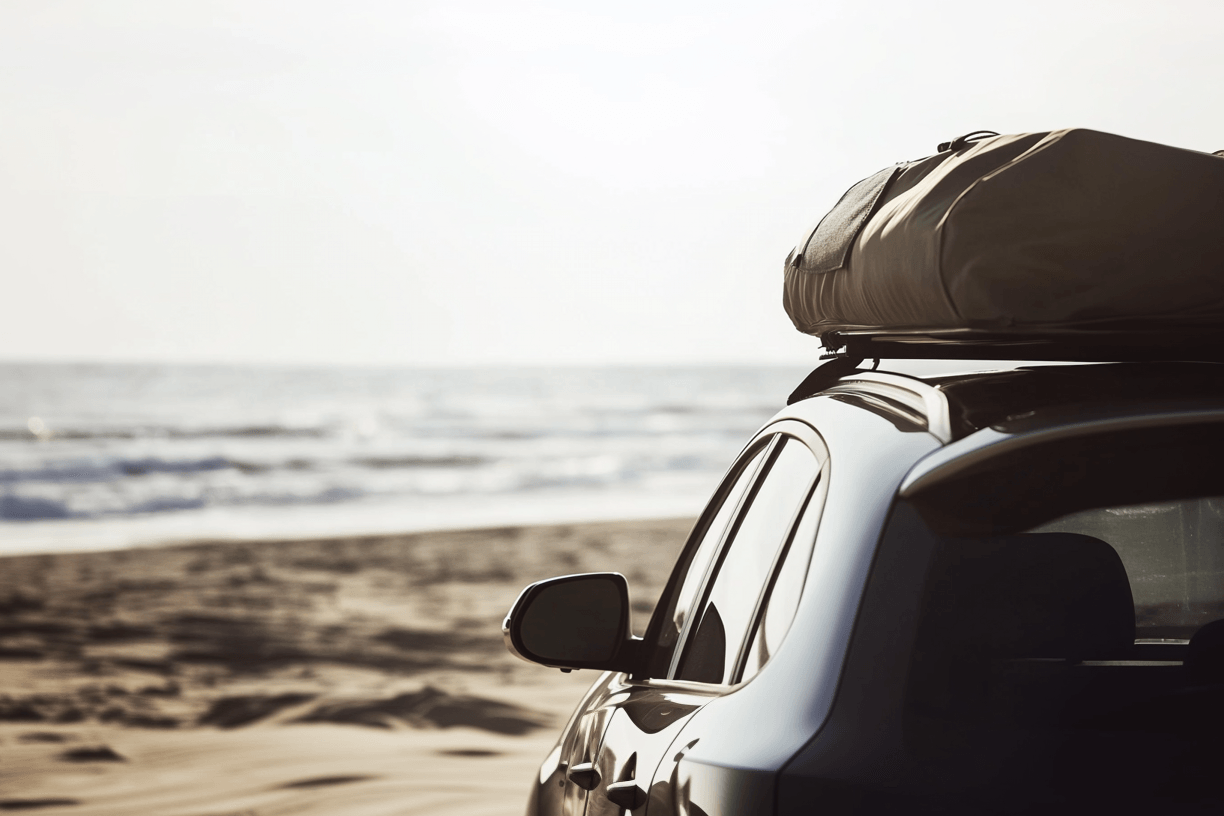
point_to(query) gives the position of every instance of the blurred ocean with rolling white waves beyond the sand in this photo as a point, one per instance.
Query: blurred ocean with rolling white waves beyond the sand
(99, 457)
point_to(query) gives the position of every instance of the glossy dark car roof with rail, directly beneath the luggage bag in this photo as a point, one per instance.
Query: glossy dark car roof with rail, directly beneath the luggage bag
(957, 398)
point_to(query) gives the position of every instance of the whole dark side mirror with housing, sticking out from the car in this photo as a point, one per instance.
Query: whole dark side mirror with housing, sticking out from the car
(575, 622)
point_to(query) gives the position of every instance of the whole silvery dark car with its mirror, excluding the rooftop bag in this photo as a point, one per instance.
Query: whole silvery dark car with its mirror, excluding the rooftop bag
(988, 592)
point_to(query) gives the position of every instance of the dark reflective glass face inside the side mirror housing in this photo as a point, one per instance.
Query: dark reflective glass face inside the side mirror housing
(575, 621)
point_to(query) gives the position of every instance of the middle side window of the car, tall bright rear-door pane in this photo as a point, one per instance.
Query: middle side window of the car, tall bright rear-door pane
(746, 565)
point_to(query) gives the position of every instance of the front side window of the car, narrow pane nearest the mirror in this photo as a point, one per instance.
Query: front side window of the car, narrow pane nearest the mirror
(691, 572)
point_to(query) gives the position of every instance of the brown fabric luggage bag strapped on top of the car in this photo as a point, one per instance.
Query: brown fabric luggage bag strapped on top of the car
(1063, 237)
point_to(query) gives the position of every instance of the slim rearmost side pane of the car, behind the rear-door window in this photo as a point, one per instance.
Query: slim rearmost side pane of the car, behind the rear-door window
(783, 599)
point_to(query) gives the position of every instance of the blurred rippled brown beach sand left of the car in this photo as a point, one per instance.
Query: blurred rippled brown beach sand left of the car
(349, 676)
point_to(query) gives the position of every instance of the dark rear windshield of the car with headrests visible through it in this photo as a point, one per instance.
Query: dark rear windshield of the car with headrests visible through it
(1077, 660)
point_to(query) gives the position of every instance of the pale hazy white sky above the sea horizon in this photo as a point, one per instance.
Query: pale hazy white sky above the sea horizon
(524, 183)
